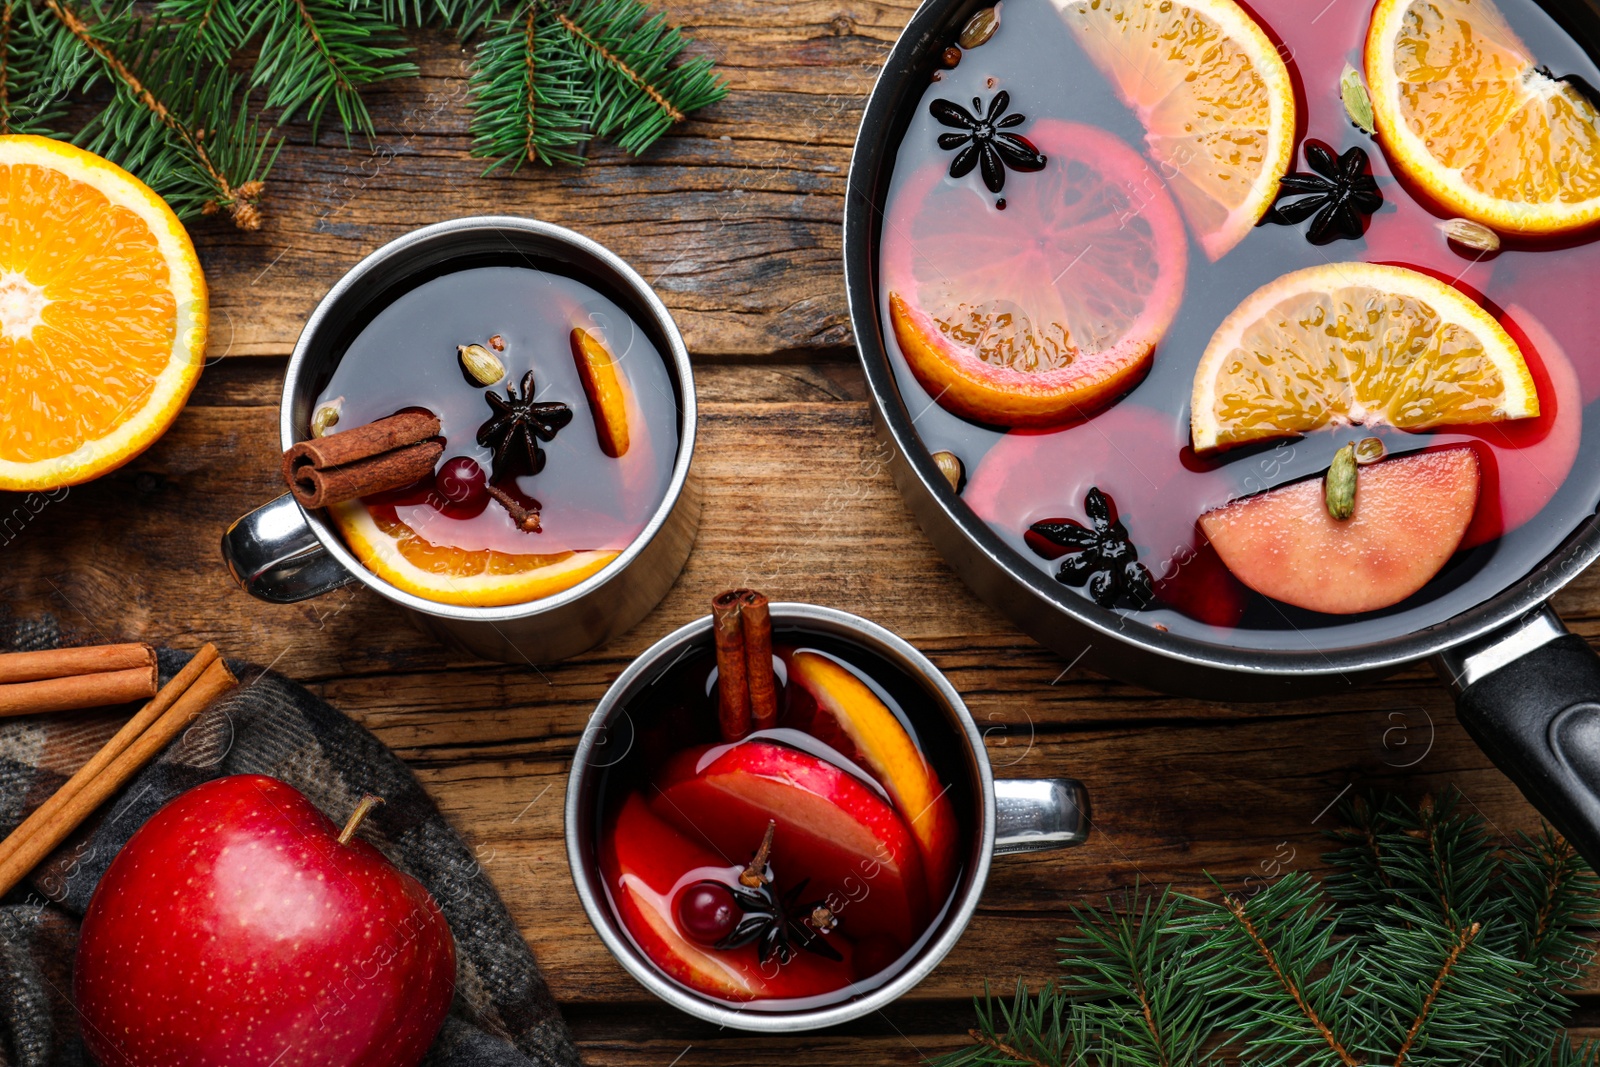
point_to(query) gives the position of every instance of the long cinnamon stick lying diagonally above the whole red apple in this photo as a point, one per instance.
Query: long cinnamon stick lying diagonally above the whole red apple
(98, 788)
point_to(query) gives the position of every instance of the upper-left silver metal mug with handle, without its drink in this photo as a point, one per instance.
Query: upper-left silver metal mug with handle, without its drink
(282, 553)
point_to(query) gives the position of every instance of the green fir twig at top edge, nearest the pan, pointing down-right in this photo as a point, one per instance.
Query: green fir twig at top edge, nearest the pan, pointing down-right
(638, 92)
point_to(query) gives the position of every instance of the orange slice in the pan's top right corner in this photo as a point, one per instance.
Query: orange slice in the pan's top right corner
(1465, 111)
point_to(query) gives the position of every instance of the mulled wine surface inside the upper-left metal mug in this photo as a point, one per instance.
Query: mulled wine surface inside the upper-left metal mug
(407, 358)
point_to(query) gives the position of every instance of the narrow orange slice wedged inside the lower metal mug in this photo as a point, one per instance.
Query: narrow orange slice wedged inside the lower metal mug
(849, 716)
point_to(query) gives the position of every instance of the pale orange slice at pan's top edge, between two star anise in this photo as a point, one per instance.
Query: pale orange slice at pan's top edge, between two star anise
(1215, 100)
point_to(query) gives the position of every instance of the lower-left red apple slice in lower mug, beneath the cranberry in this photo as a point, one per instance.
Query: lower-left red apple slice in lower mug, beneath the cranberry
(644, 860)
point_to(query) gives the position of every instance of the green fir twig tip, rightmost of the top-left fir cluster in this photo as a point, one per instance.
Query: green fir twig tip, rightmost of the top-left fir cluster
(314, 52)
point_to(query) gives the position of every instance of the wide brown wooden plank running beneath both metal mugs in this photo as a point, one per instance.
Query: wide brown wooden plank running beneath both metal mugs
(799, 502)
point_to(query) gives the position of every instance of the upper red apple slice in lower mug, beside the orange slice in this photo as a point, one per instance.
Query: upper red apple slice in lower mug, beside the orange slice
(833, 831)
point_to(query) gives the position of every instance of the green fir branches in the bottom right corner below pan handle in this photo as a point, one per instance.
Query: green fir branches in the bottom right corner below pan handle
(1430, 946)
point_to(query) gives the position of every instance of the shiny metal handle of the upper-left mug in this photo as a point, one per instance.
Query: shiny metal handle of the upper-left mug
(274, 556)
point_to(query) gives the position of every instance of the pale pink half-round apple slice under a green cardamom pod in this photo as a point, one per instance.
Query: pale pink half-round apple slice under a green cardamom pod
(1410, 518)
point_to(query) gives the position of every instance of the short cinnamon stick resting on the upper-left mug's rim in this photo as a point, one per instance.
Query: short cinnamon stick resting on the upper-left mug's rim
(366, 460)
